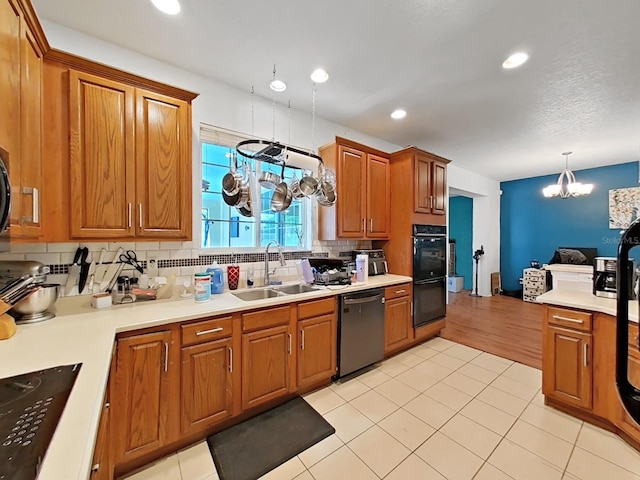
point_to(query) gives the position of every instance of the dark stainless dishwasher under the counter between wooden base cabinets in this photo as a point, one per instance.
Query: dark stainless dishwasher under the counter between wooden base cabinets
(360, 330)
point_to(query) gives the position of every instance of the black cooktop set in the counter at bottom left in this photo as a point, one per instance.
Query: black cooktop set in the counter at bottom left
(30, 407)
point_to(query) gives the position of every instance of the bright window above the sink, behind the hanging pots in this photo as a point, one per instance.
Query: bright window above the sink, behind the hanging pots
(223, 226)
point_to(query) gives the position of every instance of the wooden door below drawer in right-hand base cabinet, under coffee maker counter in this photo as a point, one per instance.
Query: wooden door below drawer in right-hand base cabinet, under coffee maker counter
(567, 367)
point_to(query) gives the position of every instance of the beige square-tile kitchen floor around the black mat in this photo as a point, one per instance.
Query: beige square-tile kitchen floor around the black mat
(439, 411)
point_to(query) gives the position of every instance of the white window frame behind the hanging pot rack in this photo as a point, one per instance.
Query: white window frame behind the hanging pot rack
(229, 138)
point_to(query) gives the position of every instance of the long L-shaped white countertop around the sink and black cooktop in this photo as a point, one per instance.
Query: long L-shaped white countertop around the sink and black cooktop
(81, 334)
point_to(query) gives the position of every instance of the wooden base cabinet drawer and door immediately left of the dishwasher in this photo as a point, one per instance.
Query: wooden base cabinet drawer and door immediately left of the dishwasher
(317, 341)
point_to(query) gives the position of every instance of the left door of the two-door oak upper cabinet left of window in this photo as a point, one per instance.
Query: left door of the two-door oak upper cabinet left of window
(102, 147)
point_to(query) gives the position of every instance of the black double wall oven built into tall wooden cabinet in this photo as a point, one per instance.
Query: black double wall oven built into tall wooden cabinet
(429, 273)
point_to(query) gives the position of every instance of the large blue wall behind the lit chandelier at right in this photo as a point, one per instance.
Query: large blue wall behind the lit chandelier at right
(533, 227)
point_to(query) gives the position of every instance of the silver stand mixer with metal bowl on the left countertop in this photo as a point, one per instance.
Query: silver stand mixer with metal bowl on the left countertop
(23, 287)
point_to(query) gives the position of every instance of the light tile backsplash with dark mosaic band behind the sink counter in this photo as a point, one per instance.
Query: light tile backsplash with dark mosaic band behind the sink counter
(181, 259)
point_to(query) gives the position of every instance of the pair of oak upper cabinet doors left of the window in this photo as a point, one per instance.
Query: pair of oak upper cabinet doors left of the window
(131, 158)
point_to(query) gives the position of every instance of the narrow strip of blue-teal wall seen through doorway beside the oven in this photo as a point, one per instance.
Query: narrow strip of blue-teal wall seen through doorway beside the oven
(461, 230)
